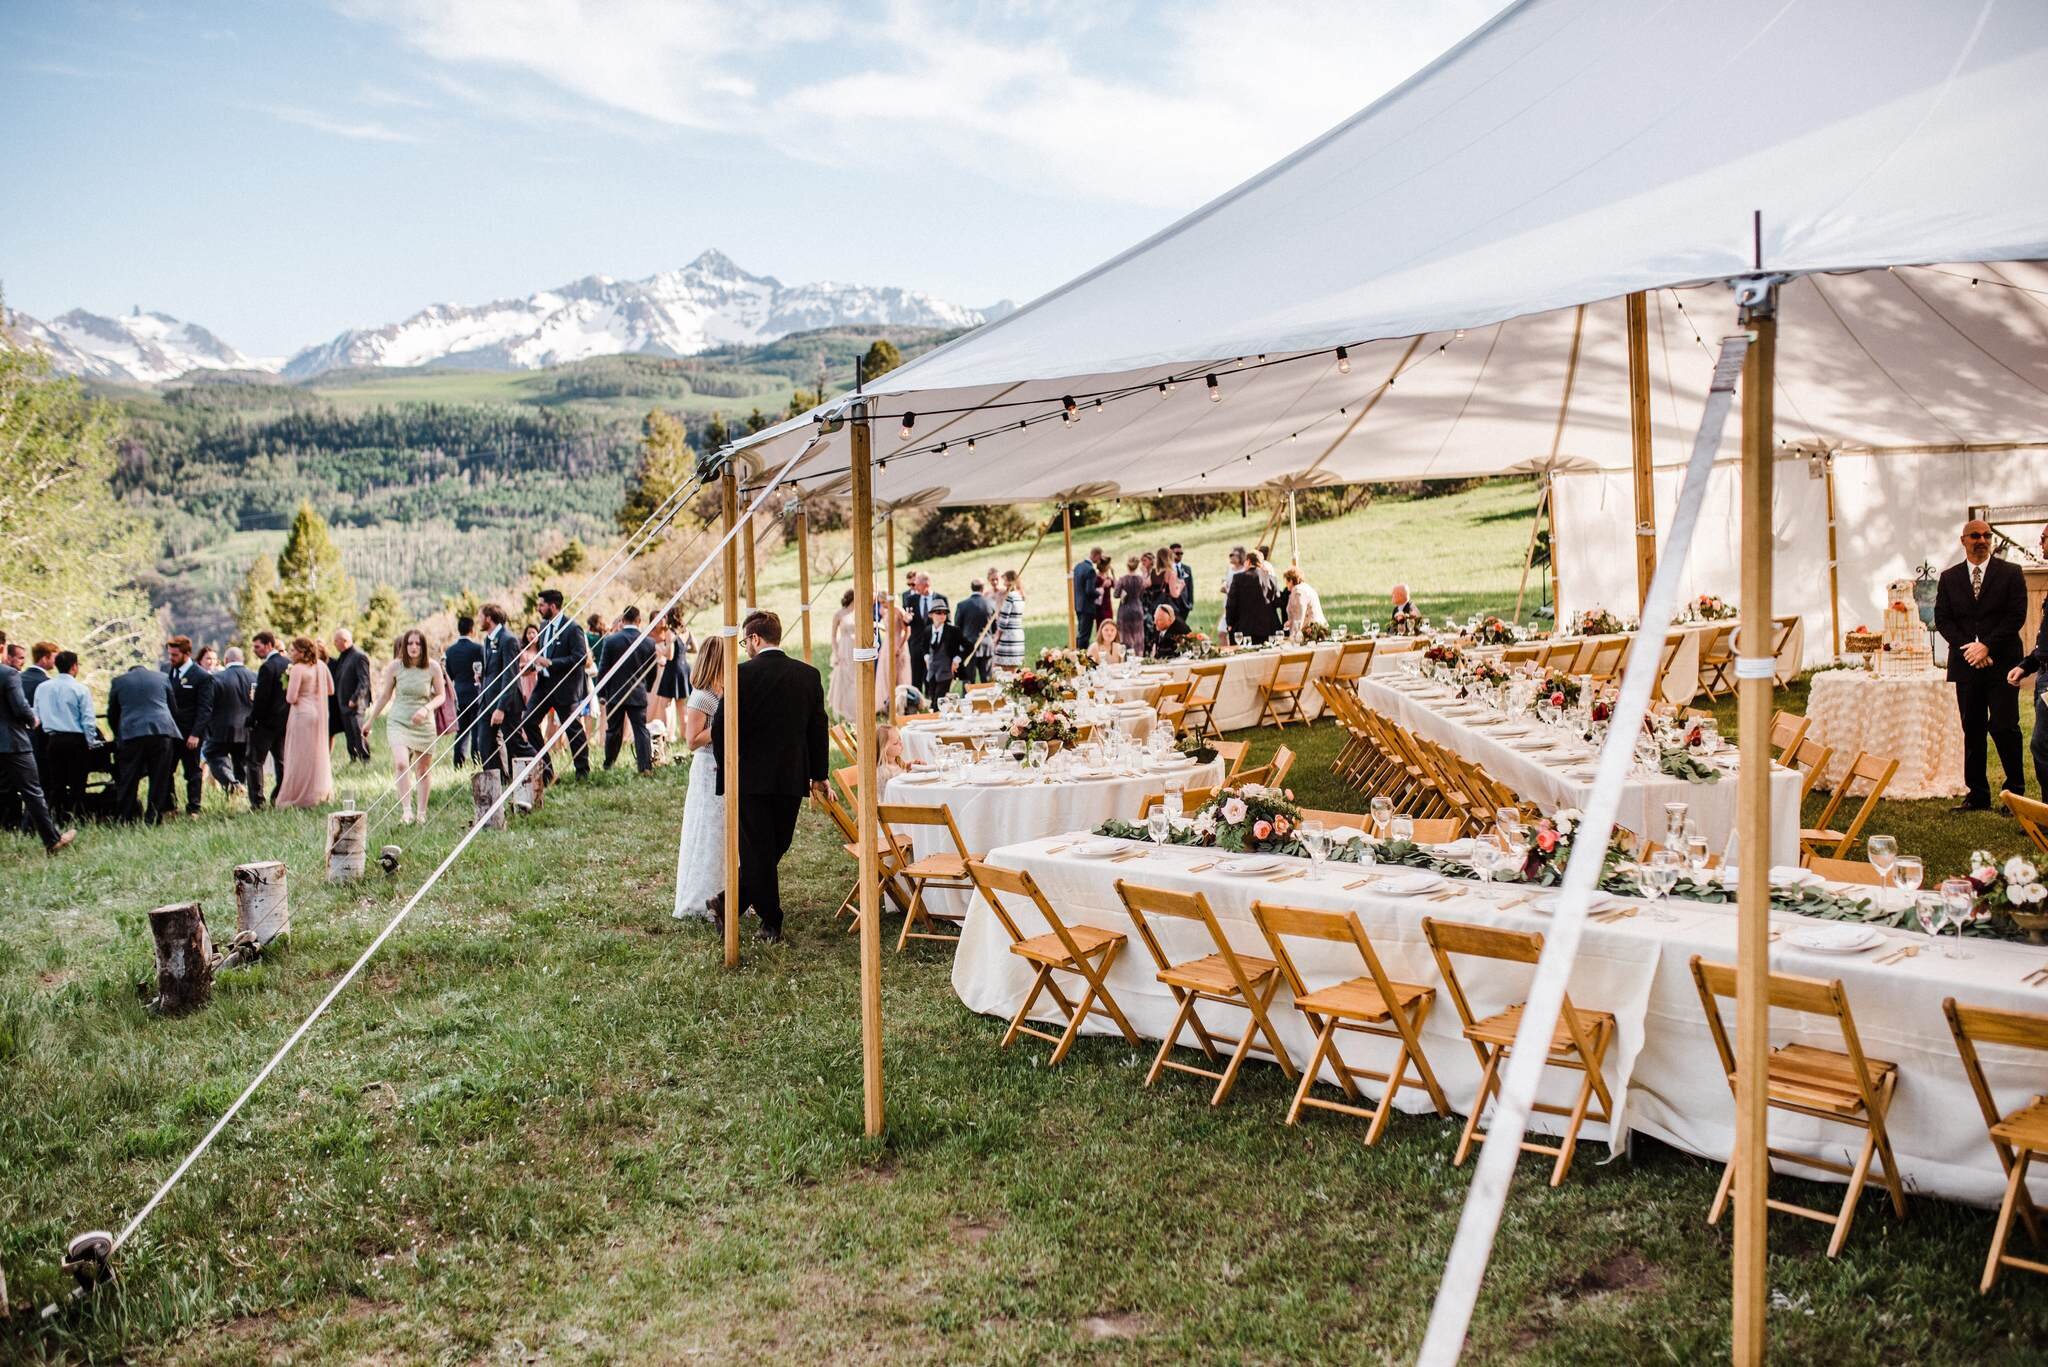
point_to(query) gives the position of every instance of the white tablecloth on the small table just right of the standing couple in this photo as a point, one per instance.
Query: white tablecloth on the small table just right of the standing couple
(992, 817)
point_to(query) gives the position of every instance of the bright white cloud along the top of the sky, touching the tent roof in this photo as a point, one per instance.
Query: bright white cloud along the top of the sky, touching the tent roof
(1146, 106)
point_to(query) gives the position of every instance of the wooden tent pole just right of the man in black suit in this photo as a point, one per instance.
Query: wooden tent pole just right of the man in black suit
(871, 911)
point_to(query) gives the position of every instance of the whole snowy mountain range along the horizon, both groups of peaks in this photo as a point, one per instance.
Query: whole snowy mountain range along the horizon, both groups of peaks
(708, 304)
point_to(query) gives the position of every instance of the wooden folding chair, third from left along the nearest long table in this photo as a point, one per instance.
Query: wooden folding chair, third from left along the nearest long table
(1365, 1005)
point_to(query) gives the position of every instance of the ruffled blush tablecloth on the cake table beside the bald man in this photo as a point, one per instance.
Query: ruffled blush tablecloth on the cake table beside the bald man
(1908, 718)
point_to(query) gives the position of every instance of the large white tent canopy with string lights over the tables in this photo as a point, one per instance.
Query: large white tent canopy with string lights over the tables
(1564, 155)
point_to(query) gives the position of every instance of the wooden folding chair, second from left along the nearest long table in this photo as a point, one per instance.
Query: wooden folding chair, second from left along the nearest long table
(1224, 979)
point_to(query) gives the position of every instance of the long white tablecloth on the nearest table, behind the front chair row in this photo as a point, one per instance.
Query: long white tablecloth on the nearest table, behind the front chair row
(1662, 1067)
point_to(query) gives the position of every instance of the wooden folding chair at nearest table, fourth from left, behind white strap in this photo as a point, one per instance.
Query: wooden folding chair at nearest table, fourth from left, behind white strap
(1580, 1040)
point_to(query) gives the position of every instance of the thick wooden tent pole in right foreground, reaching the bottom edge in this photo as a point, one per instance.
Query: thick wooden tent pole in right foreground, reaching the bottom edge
(1754, 823)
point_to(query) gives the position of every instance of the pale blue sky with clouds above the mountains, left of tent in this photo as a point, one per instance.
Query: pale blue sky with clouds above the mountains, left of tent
(286, 171)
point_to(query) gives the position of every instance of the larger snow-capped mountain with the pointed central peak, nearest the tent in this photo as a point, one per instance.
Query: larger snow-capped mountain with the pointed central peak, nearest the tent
(708, 304)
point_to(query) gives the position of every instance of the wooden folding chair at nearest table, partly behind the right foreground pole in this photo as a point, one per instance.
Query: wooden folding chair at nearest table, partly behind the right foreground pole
(1828, 1085)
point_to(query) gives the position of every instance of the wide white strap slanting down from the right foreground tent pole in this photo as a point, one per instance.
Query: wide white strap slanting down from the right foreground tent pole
(1451, 1317)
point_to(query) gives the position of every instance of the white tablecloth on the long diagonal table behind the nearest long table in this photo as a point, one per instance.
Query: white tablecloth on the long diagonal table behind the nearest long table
(1644, 800)
